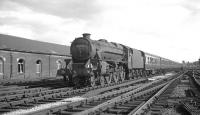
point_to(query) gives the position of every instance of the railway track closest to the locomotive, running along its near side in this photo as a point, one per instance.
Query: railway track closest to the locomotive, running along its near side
(29, 99)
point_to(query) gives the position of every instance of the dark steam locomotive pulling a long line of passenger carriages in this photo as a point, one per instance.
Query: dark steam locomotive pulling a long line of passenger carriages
(97, 62)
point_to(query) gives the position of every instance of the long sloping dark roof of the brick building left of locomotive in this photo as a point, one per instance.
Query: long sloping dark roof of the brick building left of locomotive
(8, 42)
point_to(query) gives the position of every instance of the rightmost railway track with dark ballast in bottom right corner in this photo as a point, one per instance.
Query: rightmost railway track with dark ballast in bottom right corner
(188, 101)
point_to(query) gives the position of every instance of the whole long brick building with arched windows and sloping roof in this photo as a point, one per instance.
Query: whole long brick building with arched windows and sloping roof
(29, 59)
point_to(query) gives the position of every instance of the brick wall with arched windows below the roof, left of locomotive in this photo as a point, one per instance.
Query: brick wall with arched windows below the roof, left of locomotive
(49, 65)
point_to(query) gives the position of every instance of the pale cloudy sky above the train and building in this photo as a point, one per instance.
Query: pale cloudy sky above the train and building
(168, 28)
